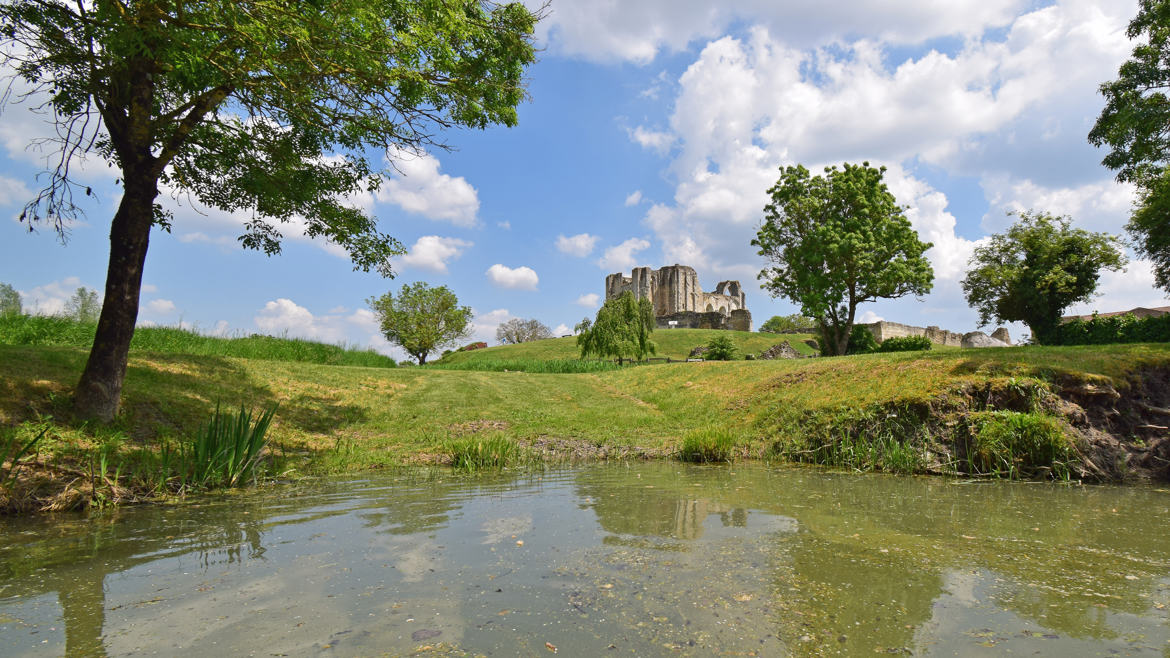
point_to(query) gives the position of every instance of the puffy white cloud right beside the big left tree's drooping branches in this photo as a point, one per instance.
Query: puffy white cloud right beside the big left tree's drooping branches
(418, 188)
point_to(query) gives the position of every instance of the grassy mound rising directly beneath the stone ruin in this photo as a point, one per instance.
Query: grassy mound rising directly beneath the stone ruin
(675, 344)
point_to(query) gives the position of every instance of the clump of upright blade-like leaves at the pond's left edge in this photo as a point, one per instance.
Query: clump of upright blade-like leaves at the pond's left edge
(228, 451)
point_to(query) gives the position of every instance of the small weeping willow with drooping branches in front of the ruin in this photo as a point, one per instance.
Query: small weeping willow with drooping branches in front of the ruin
(622, 330)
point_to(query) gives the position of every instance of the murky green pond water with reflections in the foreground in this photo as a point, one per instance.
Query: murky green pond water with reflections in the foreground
(644, 560)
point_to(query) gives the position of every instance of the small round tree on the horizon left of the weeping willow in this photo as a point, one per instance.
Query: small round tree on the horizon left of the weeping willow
(422, 319)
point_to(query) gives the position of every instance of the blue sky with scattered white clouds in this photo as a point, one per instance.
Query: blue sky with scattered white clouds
(652, 134)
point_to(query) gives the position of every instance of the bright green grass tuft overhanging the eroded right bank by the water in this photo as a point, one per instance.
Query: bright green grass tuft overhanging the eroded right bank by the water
(1020, 445)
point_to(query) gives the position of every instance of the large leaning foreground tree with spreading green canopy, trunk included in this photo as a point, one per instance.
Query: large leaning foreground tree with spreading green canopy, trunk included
(271, 108)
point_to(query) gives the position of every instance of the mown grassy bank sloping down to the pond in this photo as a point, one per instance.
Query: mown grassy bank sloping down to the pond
(956, 412)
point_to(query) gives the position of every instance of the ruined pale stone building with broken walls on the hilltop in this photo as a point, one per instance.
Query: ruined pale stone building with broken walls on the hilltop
(678, 300)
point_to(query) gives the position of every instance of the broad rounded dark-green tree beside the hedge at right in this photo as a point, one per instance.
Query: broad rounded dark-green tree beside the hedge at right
(1036, 270)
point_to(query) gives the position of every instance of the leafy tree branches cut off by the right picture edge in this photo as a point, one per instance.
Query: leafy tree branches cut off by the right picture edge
(1135, 127)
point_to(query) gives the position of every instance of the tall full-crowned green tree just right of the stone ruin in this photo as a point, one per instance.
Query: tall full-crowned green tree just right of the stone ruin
(837, 242)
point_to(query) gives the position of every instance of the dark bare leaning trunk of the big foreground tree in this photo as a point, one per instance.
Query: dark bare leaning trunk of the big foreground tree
(100, 390)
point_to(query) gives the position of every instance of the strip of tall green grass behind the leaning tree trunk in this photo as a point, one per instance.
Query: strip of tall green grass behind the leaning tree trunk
(58, 331)
